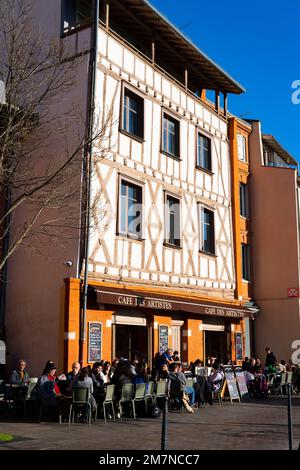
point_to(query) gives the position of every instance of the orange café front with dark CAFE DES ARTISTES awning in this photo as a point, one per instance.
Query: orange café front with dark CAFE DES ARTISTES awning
(138, 322)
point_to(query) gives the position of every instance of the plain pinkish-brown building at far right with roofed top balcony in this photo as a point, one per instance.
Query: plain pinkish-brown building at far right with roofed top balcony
(274, 200)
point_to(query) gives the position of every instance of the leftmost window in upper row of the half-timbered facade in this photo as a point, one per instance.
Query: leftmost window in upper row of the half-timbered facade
(133, 114)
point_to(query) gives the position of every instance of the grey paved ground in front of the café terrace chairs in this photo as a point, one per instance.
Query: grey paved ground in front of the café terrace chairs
(256, 425)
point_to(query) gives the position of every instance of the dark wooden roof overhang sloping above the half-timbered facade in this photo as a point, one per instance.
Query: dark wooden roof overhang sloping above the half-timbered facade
(145, 23)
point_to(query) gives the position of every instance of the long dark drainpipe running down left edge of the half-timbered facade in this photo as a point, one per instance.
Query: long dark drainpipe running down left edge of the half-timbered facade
(89, 159)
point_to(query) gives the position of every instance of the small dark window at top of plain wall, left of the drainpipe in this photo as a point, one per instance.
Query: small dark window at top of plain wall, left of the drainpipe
(76, 13)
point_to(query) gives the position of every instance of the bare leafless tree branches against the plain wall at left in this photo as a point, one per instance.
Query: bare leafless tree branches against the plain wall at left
(40, 191)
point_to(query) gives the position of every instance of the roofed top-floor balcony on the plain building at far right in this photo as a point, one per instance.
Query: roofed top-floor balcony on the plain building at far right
(275, 155)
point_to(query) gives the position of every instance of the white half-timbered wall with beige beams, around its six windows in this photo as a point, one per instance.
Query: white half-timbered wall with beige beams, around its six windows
(149, 260)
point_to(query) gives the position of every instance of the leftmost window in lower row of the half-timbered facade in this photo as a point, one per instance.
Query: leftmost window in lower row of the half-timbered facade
(130, 210)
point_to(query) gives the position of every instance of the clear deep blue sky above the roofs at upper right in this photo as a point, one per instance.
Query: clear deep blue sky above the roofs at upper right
(258, 44)
